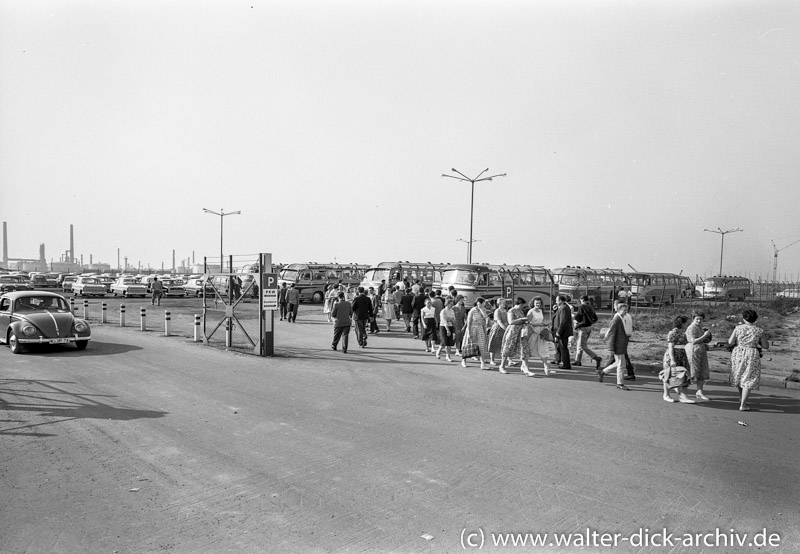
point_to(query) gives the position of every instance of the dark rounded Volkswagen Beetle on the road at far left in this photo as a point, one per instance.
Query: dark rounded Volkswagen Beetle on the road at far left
(36, 317)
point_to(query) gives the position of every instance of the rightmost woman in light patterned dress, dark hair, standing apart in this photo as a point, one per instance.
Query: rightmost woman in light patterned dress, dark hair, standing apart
(747, 340)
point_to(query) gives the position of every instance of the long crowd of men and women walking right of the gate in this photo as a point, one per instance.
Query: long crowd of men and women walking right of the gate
(500, 335)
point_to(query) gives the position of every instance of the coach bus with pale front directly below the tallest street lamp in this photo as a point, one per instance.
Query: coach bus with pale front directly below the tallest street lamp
(499, 281)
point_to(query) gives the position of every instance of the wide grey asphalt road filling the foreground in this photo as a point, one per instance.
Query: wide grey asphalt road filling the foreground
(145, 443)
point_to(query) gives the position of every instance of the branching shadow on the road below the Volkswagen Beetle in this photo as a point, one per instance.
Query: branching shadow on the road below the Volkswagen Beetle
(52, 399)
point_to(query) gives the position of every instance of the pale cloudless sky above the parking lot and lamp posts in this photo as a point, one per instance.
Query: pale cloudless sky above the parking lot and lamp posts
(623, 128)
